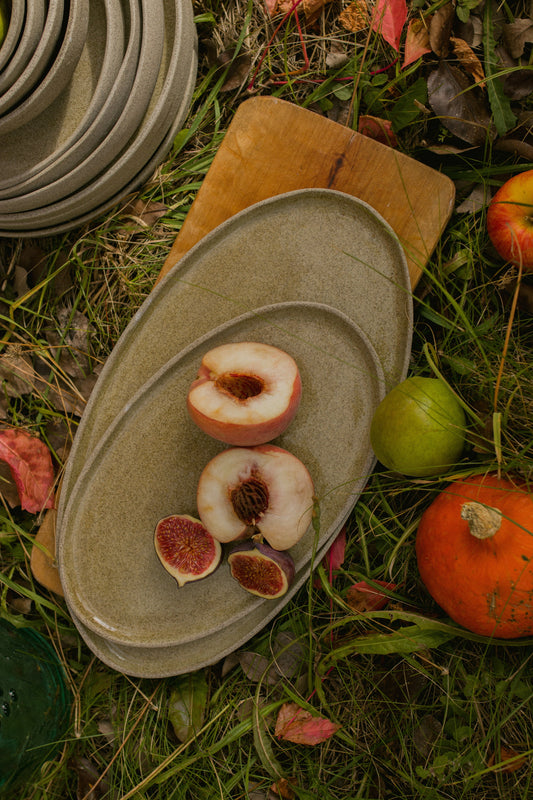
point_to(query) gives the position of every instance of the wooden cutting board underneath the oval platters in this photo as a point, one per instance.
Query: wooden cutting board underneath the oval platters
(272, 147)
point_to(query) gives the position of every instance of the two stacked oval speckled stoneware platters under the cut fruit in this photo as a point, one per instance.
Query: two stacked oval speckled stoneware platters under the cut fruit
(137, 455)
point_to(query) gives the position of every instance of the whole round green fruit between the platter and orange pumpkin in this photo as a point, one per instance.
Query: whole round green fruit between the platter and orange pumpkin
(418, 429)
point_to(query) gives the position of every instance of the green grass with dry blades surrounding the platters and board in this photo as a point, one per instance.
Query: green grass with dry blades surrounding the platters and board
(437, 717)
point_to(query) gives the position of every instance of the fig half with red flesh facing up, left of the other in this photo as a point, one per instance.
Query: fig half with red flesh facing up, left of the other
(185, 548)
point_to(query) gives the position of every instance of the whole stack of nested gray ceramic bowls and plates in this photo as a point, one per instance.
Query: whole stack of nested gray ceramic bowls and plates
(92, 95)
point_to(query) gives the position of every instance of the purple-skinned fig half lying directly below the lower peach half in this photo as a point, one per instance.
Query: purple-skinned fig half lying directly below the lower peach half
(260, 569)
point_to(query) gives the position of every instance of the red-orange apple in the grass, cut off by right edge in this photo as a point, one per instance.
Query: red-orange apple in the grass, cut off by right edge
(510, 220)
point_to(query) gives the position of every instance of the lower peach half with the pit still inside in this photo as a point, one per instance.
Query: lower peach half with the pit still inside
(265, 490)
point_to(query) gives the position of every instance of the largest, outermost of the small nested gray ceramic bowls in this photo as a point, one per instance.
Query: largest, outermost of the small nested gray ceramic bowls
(60, 71)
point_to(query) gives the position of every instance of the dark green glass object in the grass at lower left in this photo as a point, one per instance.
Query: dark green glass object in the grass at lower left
(34, 704)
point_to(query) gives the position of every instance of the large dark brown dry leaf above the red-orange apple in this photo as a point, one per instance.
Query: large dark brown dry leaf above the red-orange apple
(458, 105)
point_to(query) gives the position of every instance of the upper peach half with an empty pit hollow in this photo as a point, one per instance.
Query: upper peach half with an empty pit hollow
(246, 393)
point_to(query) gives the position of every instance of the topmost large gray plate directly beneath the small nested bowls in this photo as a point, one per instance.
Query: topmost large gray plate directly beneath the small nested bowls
(81, 116)
